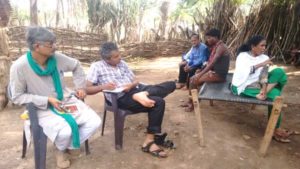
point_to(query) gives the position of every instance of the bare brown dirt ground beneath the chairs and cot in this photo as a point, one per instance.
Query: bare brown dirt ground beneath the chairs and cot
(232, 131)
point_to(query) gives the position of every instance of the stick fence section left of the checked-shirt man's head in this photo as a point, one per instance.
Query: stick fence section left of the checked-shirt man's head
(80, 45)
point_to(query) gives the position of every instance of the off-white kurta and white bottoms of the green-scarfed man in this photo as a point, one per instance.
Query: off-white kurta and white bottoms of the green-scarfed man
(26, 86)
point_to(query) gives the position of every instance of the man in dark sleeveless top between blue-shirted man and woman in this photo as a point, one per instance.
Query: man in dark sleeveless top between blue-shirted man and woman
(217, 67)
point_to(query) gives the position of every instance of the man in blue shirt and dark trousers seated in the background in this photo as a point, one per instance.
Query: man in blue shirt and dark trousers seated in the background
(191, 61)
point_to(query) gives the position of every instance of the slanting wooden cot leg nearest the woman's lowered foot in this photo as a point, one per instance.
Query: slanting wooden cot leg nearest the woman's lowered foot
(277, 105)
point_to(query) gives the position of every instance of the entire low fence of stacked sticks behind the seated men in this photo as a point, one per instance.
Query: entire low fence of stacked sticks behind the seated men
(85, 46)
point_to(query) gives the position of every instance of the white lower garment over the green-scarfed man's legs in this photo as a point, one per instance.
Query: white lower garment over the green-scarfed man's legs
(60, 132)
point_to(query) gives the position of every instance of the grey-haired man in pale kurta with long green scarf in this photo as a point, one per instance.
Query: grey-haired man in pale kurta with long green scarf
(36, 77)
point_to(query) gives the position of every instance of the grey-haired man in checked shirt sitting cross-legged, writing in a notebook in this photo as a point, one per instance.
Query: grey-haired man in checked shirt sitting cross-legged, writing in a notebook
(111, 72)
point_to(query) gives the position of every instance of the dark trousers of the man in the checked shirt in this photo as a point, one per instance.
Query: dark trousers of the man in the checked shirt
(156, 113)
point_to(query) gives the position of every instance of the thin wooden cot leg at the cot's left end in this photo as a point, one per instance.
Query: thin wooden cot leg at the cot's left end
(198, 115)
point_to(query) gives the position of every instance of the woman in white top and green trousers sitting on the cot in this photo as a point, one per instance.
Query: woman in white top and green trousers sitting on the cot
(252, 79)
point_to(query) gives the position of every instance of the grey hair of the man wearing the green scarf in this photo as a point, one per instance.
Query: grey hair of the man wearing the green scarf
(38, 34)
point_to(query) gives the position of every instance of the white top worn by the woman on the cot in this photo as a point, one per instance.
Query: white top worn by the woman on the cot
(242, 77)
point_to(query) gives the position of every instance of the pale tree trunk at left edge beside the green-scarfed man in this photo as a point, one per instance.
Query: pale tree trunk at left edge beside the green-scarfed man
(4, 67)
